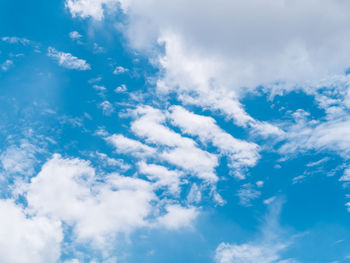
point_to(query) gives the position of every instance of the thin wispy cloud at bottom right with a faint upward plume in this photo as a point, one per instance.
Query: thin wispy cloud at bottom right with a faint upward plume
(266, 249)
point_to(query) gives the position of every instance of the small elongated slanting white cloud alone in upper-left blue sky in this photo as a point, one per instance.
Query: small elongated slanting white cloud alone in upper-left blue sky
(66, 60)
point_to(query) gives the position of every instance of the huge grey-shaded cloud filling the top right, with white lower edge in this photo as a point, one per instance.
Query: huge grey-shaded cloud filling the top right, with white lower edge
(216, 51)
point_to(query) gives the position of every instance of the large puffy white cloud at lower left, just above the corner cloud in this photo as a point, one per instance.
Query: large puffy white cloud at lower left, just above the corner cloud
(68, 190)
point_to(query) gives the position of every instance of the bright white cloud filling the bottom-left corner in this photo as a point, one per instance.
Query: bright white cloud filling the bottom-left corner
(27, 239)
